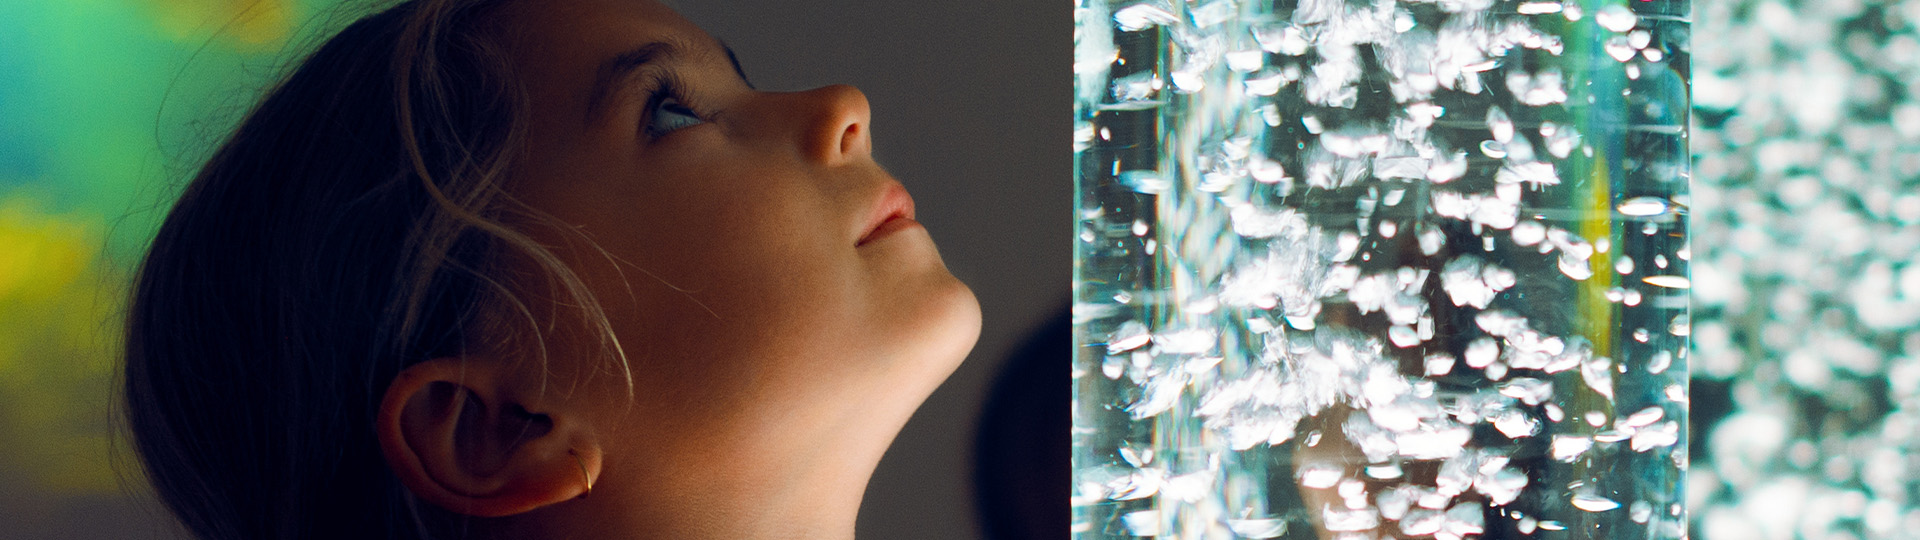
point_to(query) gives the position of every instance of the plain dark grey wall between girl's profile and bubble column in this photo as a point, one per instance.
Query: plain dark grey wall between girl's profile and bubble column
(972, 112)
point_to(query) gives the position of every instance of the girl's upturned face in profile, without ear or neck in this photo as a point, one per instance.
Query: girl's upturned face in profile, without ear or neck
(732, 224)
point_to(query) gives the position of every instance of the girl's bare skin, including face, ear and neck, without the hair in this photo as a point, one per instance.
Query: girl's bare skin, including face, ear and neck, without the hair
(773, 355)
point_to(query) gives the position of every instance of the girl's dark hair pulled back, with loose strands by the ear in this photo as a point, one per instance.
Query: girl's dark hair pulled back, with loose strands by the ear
(352, 226)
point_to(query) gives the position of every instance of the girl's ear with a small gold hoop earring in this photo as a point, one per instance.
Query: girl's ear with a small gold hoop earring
(462, 435)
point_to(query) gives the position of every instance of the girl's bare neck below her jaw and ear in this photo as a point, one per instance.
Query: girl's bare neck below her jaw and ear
(767, 481)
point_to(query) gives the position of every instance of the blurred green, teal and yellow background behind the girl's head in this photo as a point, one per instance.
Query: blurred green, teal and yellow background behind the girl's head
(107, 107)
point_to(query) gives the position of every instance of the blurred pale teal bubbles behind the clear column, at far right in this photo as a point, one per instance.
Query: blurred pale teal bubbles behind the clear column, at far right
(1808, 272)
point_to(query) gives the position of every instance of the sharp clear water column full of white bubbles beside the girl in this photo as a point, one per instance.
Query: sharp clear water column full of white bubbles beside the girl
(1381, 270)
